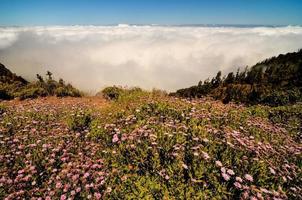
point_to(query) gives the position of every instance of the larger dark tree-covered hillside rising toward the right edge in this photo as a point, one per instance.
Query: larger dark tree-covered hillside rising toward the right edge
(275, 81)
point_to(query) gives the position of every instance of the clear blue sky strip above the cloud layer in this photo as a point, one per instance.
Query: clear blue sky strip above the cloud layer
(100, 12)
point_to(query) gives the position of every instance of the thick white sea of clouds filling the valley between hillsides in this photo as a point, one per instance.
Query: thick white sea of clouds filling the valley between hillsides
(166, 57)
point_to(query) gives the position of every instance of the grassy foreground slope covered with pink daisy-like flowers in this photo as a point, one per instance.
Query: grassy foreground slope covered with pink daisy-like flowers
(149, 146)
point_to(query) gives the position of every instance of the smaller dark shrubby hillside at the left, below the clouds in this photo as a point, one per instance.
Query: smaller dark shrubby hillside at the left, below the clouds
(12, 86)
